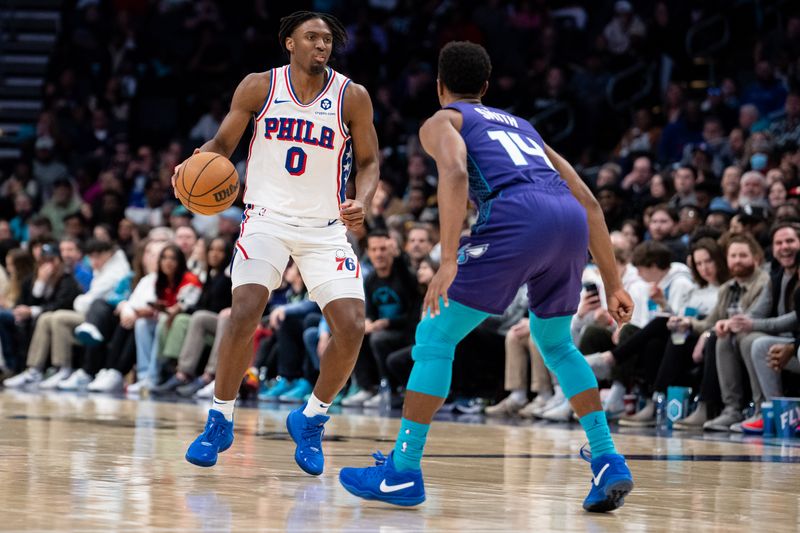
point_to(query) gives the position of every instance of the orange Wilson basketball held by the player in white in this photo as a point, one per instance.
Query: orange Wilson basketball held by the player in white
(207, 183)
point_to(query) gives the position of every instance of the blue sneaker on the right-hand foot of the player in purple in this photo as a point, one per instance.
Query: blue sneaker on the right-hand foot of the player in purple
(611, 482)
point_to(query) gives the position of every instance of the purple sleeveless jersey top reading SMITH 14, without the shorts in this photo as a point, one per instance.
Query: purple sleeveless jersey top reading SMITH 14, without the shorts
(503, 151)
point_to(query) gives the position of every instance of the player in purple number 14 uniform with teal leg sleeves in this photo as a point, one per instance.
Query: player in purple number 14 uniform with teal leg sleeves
(532, 228)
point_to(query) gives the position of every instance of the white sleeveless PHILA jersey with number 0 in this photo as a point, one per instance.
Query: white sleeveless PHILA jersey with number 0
(300, 154)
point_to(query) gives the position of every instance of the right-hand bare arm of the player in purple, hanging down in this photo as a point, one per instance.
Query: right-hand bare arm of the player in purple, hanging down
(620, 305)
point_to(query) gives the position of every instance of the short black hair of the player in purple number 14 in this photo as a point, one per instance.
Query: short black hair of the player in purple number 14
(464, 67)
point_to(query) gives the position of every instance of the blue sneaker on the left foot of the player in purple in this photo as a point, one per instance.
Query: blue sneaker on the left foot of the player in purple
(382, 482)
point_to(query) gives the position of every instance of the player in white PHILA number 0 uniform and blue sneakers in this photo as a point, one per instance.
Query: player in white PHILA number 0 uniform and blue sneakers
(311, 125)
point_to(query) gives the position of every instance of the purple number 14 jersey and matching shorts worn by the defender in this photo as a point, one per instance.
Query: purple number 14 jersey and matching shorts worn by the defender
(530, 228)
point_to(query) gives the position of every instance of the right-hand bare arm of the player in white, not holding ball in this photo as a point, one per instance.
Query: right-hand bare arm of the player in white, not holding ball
(359, 118)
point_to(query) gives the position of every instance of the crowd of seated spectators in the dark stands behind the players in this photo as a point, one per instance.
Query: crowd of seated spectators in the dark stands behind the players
(698, 178)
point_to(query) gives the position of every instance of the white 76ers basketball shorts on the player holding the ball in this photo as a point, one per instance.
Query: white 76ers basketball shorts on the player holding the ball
(327, 263)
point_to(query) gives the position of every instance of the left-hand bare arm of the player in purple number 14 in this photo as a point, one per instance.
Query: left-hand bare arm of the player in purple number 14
(441, 139)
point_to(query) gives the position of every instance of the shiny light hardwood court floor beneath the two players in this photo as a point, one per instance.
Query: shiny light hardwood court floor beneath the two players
(97, 463)
